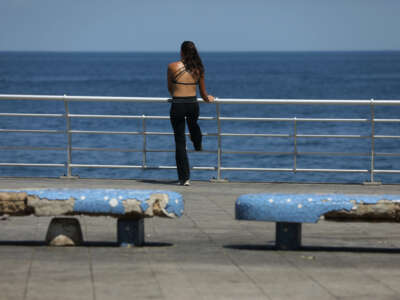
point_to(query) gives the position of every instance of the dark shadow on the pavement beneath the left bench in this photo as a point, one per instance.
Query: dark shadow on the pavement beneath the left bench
(84, 244)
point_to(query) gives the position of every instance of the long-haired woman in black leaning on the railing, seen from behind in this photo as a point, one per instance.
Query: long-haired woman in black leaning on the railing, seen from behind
(183, 77)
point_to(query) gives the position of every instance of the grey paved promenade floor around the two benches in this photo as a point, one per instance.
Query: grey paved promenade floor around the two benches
(206, 254)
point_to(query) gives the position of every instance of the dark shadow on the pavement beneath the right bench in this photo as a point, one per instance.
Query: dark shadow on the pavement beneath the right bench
(315, 249)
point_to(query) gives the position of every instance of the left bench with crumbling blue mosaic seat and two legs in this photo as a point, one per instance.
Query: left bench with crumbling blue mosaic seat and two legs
(128, 205)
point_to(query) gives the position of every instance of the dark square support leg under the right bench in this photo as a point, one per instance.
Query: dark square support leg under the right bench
(288, 236)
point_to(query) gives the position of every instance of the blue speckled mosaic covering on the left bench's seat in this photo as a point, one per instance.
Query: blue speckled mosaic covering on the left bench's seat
(109, 201)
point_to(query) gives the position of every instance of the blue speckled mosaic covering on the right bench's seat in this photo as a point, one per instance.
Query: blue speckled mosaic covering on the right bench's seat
(299, 208)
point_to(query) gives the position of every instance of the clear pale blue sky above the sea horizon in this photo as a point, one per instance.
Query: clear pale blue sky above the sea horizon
(161, 25)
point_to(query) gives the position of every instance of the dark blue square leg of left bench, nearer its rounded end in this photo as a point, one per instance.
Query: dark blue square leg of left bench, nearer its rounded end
(130, 232)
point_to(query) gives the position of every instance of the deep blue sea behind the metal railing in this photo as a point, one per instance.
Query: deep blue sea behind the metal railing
(352, 75)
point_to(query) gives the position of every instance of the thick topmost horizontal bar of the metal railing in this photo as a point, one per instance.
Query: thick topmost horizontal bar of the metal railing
(227, 100)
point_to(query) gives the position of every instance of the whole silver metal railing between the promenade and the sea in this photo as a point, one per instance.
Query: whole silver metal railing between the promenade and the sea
(218, 168)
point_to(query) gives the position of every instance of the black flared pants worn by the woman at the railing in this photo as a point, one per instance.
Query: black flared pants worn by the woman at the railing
(179, 112)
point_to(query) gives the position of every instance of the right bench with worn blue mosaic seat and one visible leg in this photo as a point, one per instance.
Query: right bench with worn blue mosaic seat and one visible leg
(289, 211)
